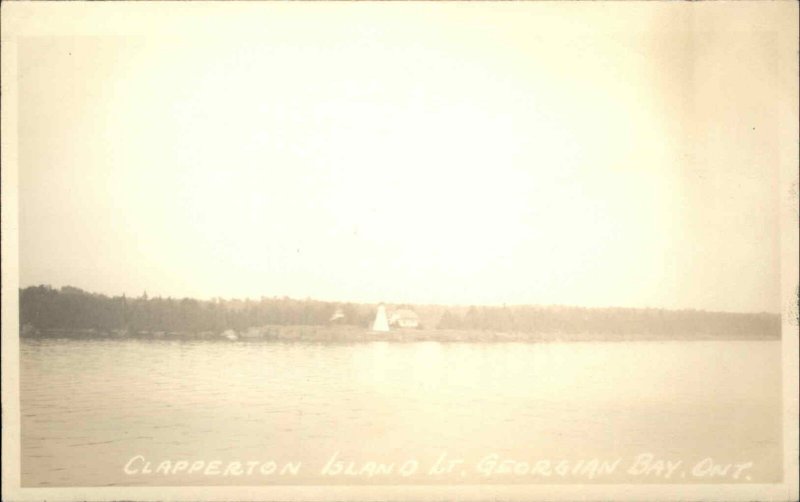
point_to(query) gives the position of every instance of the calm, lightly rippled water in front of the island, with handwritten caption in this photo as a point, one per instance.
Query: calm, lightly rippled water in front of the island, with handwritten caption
(276, 413)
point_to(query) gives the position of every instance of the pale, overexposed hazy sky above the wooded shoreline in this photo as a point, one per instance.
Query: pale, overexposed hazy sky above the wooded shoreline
(456, 155)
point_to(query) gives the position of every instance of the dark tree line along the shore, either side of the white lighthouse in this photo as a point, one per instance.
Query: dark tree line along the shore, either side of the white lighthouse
(44, 307)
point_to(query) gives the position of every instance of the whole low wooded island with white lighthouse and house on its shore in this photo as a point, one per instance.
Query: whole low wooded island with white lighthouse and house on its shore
(70, 312)
